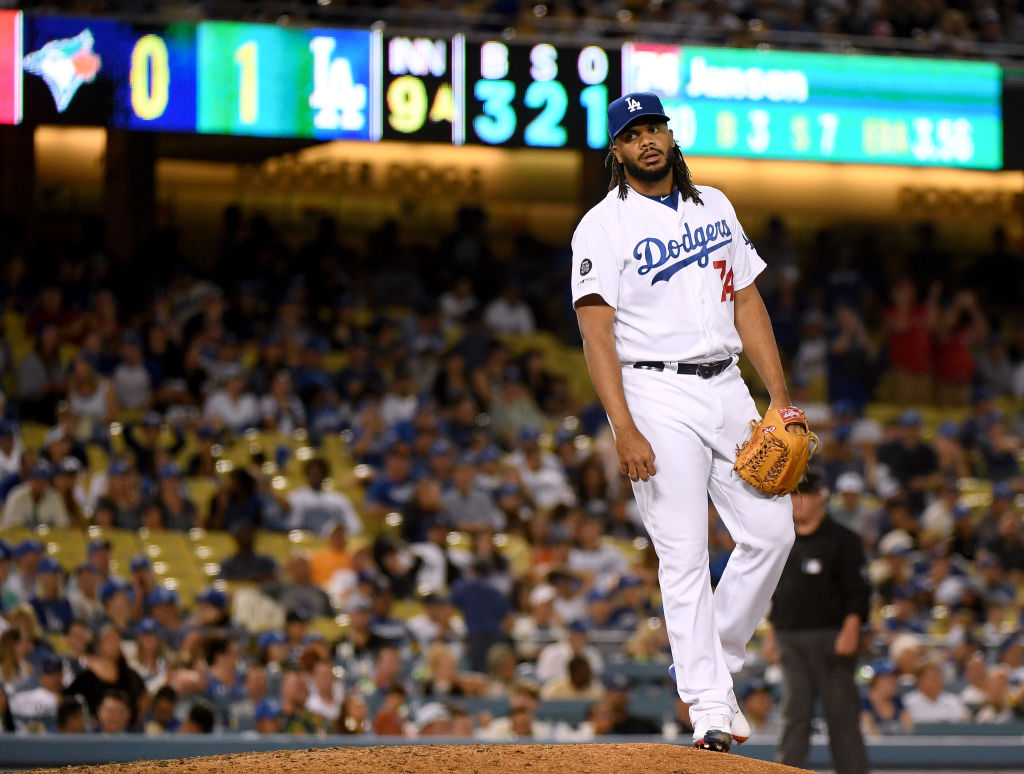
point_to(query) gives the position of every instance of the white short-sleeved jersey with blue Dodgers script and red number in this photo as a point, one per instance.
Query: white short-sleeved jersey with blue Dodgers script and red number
(670, 275)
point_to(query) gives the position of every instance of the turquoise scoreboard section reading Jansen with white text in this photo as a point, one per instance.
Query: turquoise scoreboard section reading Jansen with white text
(818, 107)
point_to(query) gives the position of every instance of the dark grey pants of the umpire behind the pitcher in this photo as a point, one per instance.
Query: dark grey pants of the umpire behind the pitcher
(814, 671)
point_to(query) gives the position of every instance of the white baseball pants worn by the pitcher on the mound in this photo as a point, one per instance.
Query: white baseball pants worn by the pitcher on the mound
(695, 425)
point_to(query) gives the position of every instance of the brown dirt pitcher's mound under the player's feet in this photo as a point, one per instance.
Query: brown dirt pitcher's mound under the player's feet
(470, 759)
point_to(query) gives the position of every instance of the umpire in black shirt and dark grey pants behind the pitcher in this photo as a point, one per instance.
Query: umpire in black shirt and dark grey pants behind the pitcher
(818, 611)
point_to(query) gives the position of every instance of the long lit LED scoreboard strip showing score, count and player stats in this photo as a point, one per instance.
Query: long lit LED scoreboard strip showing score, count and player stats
(328, 83)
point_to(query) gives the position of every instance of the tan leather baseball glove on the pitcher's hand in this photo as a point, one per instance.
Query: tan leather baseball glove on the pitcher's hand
(774, 459)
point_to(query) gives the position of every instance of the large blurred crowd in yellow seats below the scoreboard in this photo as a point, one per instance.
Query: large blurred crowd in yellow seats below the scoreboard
(470, 539)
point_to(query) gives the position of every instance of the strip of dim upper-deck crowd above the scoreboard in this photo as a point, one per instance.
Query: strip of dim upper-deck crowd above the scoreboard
(948, 28)
